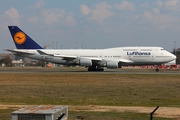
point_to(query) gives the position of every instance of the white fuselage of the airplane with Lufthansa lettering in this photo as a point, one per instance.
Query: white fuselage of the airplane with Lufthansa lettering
(121, 55)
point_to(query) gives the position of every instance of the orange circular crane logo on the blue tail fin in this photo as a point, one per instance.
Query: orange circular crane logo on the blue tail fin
(19, 37)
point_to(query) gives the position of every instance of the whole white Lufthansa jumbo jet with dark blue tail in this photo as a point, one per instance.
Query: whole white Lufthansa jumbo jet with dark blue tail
(93, 59)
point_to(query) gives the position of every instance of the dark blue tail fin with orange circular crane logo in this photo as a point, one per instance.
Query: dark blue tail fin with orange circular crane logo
(22, 40)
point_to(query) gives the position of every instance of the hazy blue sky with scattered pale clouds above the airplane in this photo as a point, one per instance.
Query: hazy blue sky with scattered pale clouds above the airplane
(92, 24)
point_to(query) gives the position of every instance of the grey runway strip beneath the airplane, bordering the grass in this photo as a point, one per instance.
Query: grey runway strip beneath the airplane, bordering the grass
(66, 70)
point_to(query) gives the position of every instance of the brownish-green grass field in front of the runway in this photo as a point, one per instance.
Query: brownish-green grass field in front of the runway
(71, 89)
